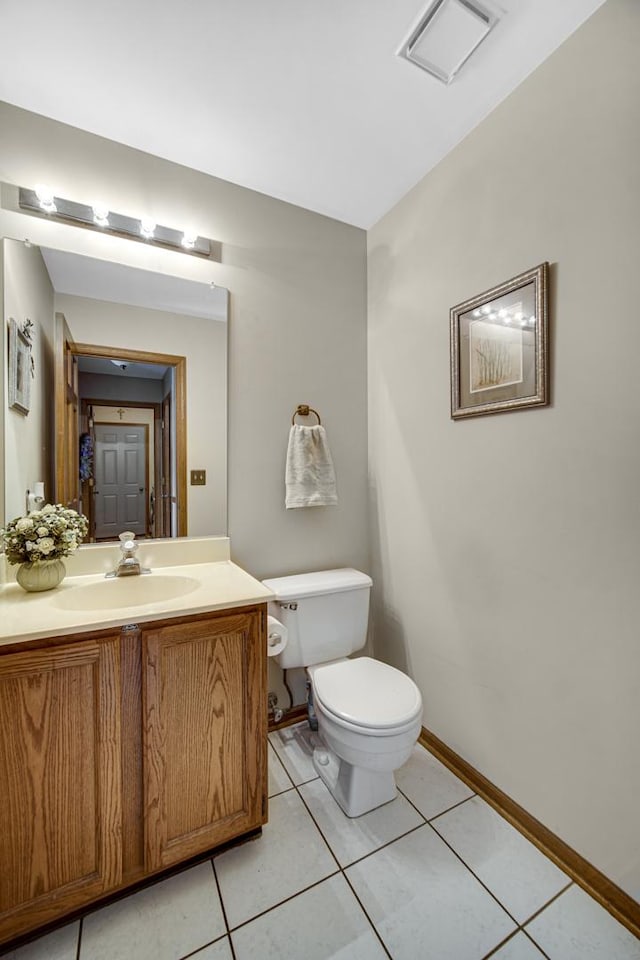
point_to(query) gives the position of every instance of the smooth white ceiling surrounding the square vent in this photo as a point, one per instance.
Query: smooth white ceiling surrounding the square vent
(307, 102)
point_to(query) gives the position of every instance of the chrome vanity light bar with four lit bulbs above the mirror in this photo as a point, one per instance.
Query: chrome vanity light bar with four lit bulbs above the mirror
(42, 201)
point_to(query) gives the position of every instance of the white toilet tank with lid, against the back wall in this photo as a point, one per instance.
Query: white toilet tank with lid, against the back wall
(326, 614)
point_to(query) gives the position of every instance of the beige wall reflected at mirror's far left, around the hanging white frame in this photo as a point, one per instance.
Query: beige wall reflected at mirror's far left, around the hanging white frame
(28, 293)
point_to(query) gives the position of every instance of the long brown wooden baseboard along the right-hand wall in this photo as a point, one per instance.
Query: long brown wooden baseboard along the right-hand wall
(619, 904)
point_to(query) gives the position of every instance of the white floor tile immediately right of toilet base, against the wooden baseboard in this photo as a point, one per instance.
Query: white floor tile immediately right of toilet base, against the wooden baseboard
(430, 786)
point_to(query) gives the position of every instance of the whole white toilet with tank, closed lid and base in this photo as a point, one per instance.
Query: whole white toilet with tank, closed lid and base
(369, 714)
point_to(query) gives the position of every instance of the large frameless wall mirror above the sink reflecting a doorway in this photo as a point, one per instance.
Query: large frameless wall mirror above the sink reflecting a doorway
(143, 350)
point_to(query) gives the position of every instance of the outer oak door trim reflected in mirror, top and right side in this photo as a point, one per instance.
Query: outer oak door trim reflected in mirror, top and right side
(179, 365)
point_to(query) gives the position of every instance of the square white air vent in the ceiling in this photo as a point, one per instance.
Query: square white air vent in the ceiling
(447, 35)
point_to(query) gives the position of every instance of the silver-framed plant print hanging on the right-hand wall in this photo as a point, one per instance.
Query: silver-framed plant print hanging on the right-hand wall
(499, 347)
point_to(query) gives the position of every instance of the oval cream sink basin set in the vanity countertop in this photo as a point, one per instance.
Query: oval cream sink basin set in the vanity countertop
(131, 591)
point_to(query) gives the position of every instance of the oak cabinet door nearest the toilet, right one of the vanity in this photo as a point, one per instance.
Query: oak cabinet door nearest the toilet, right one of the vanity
(204, 750)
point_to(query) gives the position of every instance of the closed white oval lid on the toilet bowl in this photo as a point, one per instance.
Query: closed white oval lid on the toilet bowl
(367, 693)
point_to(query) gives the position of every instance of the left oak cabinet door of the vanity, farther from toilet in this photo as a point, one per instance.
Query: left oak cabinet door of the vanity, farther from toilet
(60, 783)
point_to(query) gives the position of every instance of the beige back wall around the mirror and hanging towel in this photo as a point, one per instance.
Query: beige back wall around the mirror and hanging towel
(297, 322)
